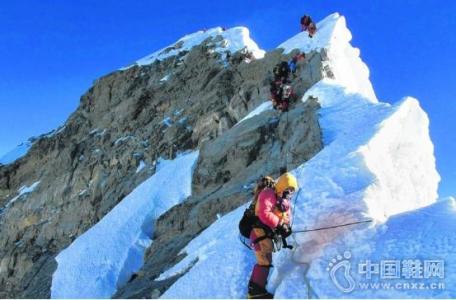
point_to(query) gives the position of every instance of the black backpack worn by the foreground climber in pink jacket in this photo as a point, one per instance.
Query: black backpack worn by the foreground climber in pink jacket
(249, 219)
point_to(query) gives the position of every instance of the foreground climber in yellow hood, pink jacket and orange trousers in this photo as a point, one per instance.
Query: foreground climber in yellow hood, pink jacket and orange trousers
(273, 207)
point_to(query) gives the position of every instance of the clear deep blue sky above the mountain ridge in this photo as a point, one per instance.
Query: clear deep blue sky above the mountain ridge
(52, 51)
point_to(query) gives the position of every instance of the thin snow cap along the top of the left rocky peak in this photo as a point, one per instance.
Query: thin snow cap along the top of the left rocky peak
(231, 40)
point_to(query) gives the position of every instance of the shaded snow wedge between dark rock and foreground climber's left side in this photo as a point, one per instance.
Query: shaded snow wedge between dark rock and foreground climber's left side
(222, 266)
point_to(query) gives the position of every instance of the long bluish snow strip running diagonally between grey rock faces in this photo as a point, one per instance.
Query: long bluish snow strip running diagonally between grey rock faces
(104, 257)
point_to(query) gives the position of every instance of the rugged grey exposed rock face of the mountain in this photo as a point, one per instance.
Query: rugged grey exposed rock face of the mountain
(140, 114)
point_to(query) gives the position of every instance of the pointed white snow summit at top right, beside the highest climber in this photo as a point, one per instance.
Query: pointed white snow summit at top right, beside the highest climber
(348, 68)
